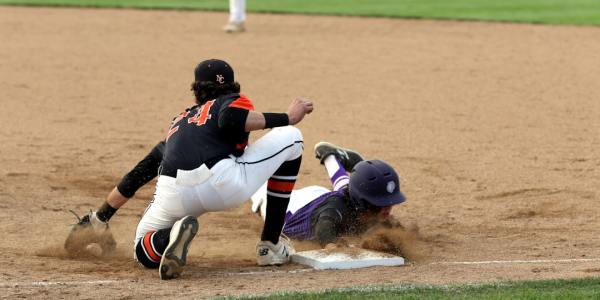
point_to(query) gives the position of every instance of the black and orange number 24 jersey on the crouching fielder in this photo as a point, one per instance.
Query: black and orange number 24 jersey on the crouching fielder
(207, 133)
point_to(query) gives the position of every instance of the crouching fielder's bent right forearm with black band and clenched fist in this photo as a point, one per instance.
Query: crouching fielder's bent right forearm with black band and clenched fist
(299, 108)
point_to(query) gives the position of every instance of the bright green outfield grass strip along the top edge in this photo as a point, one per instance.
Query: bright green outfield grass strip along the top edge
(532, 11)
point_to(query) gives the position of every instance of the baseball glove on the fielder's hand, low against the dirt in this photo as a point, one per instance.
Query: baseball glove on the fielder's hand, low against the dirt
(87, 231)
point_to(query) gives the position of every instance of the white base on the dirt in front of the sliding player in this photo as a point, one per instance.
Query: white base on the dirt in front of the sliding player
(358, 258)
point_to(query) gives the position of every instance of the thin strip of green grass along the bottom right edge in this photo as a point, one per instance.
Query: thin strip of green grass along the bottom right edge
(586, 288)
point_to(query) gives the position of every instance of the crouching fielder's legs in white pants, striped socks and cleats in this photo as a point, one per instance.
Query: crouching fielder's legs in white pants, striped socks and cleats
(275, 157)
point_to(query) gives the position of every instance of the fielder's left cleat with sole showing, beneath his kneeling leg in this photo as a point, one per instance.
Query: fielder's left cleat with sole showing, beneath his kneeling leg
(174, 257)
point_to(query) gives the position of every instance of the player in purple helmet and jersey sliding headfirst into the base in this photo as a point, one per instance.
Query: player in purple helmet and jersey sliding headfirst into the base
(356, 203)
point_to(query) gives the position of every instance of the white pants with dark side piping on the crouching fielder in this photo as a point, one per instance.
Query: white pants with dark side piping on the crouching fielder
(228, 184)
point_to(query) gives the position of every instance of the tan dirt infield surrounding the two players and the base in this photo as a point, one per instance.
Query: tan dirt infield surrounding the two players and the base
(494, 129)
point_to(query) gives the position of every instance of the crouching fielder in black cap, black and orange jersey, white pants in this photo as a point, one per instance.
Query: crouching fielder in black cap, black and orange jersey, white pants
(206, 166)
